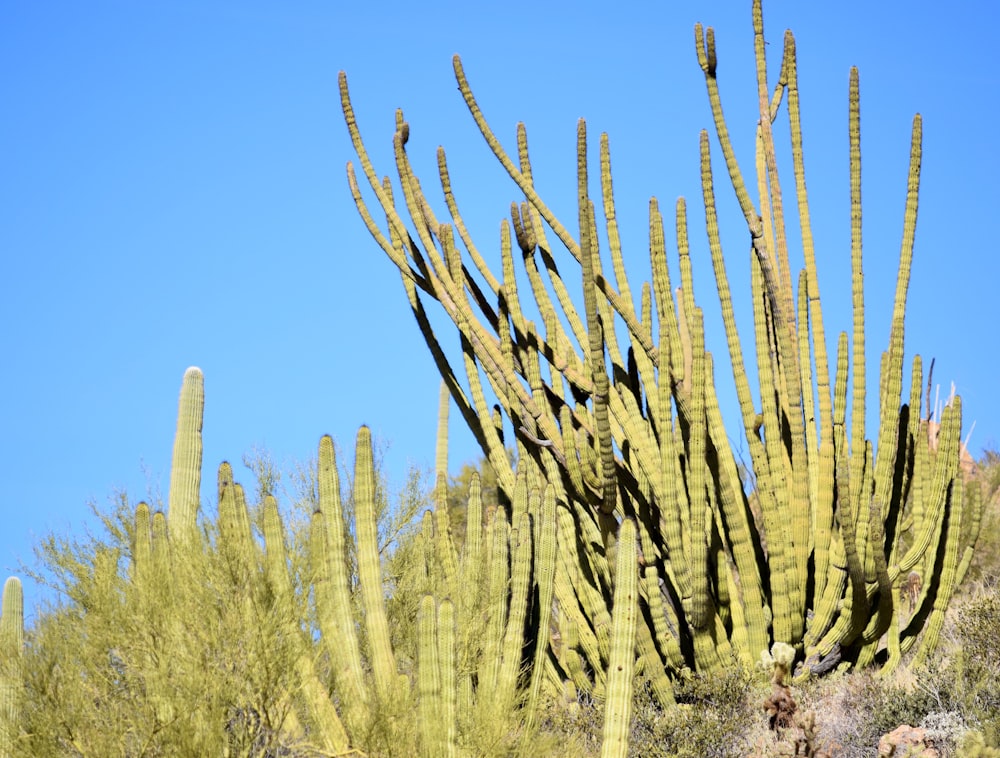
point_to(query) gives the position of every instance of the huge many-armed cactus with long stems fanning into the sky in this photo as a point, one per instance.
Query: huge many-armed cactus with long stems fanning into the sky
(615, 409)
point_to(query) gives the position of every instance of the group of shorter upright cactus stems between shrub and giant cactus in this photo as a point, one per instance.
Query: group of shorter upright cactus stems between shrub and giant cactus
(496, 633)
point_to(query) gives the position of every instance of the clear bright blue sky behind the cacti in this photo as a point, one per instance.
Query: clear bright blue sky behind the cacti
(173, 193)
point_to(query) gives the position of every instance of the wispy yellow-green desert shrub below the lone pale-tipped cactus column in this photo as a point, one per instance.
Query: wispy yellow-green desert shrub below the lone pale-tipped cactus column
(182, 656)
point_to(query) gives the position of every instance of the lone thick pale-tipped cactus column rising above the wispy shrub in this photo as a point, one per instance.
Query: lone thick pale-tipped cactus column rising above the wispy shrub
(185, 469)
